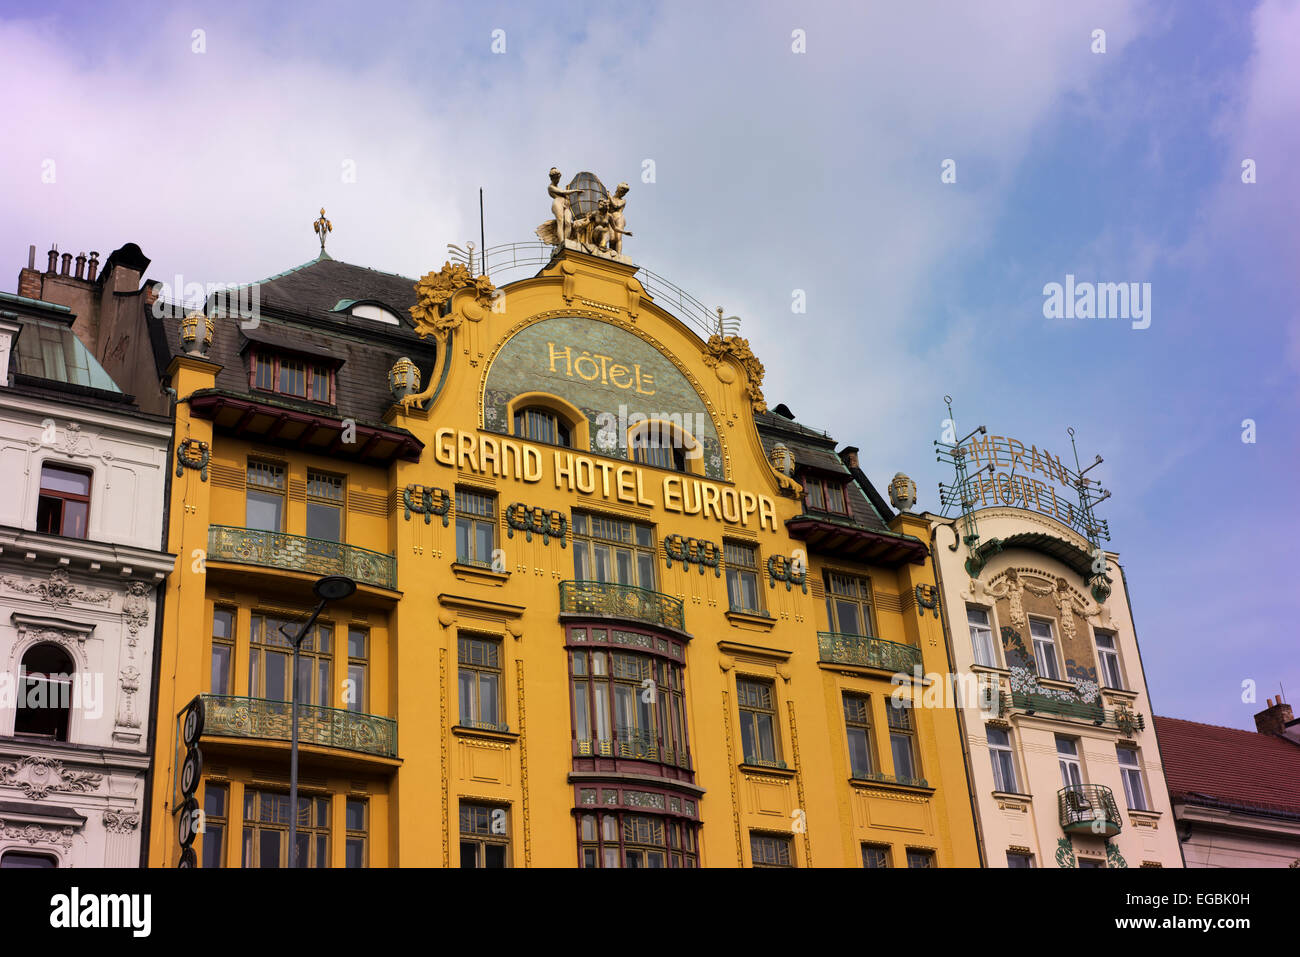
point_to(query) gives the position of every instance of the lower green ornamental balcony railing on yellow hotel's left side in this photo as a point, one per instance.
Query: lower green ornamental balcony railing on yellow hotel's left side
(271, 721)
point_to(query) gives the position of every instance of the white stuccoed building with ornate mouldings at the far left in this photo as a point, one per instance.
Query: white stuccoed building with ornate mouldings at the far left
(84, 477)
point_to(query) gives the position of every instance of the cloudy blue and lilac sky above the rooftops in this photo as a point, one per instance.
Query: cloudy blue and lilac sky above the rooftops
(778, 171)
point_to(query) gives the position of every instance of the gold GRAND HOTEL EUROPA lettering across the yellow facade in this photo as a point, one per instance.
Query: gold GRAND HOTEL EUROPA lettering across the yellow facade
(597, 477)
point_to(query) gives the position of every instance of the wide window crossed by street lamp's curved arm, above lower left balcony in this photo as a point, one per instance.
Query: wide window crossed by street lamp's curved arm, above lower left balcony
(271, 656)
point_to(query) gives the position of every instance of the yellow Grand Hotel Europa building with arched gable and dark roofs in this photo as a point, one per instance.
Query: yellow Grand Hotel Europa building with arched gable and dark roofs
(610, 609)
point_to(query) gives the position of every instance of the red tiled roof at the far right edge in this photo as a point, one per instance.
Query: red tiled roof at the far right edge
(1230, 765)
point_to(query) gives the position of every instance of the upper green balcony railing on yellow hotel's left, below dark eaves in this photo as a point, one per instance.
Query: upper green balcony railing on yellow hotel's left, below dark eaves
(297, 553)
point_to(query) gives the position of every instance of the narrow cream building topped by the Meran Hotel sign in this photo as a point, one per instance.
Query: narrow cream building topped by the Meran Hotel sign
(1065, 768)
